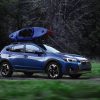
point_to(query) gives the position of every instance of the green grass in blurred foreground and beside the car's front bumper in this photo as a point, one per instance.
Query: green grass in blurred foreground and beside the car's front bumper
(40, 89)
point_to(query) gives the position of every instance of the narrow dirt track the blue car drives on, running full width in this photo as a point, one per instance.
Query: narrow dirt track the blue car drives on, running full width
(20, 76)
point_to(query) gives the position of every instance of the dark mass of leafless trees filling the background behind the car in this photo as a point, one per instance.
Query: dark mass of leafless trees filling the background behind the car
(75, 23)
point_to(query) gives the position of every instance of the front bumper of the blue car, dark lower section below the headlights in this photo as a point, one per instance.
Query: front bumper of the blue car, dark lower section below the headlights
(83, 67)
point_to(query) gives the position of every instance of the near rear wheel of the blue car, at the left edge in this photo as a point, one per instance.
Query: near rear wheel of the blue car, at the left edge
(6, 70)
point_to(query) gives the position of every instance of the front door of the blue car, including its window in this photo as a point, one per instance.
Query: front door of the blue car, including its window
(34, 57)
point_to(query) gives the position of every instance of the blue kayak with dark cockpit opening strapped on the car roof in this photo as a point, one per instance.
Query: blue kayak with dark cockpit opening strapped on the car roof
(28, 34)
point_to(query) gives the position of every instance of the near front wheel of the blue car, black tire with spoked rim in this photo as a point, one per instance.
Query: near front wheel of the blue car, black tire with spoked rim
(54, 70)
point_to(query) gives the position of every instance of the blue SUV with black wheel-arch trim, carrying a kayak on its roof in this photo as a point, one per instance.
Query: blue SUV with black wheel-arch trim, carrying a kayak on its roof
(30, 58)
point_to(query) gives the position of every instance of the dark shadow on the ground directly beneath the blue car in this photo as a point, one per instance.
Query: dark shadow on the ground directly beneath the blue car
(40, 76)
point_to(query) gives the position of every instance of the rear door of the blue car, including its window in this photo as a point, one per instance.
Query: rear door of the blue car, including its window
(17, 56)
